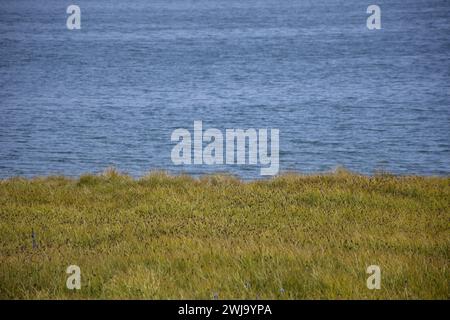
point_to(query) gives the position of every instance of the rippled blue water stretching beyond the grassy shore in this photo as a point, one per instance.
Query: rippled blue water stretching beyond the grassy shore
(111, 93)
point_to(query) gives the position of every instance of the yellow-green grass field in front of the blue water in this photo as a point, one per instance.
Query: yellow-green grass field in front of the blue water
(159, 237)
